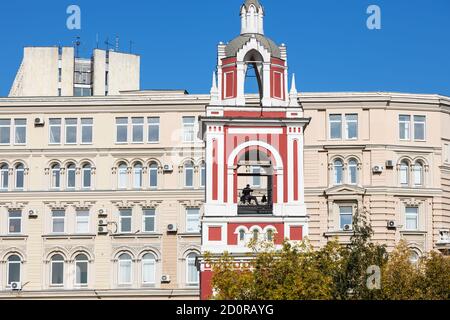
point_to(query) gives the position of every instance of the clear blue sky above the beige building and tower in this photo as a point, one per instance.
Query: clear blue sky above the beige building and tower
(329, 46)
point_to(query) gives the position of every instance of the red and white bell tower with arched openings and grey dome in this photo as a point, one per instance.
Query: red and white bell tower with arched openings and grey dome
(252, 139)
